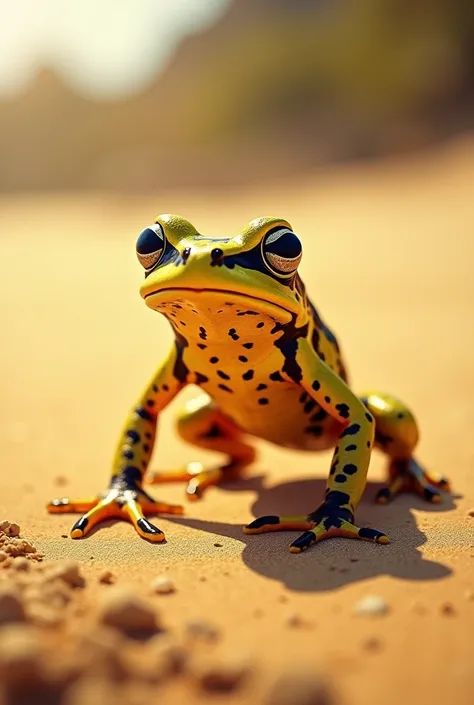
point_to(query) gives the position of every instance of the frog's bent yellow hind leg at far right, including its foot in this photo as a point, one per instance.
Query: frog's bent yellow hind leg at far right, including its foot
(396, 434)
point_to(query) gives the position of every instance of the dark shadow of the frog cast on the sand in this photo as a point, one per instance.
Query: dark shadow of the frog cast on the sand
(335, 562)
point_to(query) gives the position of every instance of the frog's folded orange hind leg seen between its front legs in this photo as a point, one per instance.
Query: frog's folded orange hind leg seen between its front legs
(203, 424)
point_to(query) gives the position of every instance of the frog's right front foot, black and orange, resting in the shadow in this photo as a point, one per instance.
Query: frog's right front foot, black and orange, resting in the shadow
(322, 524)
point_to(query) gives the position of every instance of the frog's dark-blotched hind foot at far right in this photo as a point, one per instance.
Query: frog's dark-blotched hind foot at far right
(409, 476)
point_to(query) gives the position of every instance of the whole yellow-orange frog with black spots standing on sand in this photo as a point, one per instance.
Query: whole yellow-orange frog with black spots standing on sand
(268, 368)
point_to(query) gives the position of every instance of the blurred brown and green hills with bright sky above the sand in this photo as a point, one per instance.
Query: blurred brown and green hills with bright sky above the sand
(145, 94)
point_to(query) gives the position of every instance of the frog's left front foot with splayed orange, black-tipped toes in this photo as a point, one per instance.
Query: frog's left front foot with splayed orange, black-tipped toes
(121, 501)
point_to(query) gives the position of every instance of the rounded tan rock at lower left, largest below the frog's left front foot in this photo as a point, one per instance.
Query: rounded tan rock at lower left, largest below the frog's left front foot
(130, 614)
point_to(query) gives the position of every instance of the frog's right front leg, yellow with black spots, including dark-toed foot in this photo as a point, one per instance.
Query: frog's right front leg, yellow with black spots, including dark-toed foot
(348, 473)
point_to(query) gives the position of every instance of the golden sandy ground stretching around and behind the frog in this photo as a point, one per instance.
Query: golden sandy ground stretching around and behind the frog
(389, 256)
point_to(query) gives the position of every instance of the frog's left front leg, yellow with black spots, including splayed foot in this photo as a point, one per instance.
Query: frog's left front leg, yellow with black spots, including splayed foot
(125, 497)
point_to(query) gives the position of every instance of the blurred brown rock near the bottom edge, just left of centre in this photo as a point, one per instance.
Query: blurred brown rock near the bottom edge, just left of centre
(222, 674)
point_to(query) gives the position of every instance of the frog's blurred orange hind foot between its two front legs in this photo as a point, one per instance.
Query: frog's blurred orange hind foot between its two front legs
(198, 477)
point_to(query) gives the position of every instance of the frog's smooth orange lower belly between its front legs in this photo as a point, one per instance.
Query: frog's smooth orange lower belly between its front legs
(287, 417)
